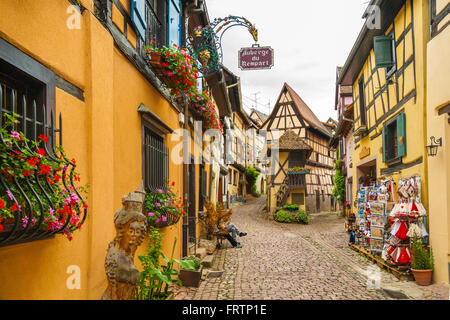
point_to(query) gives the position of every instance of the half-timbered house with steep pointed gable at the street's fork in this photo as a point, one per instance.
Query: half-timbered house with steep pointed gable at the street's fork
(292, 115)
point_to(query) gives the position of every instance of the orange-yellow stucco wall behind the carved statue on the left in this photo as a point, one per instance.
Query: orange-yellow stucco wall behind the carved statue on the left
(103, 133)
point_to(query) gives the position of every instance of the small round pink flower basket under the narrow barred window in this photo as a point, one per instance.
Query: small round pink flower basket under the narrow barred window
(163, 207)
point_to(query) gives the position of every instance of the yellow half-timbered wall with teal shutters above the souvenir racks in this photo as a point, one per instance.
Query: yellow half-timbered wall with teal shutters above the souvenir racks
(412, 79)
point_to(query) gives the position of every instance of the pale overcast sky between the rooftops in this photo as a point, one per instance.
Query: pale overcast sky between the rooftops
(310, 39)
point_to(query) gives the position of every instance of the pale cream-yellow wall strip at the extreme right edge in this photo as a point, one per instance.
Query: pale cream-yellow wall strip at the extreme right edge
(438, 95)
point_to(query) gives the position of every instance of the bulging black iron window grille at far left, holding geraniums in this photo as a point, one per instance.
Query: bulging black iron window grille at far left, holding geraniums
(30, 201)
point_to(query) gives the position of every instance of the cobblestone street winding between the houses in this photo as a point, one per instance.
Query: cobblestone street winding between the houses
(294, 262)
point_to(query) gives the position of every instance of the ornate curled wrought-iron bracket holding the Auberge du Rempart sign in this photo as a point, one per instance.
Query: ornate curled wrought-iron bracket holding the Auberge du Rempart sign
(205, 43)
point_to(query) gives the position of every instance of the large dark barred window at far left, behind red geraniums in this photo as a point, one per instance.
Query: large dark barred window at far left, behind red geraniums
(27, 90)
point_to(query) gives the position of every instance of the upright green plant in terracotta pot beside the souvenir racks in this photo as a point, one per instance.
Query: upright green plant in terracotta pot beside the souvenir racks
(422, 262)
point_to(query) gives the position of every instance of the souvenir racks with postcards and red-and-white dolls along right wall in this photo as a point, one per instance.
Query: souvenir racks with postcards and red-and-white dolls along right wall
(385, 226)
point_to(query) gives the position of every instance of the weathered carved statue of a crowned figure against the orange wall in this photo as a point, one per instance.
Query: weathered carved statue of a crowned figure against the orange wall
(131, 228)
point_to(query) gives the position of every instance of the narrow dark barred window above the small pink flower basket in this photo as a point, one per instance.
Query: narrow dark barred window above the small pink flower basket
(156, 165)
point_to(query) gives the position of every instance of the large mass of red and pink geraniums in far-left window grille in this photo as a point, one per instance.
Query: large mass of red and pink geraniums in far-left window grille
(36, 185)
